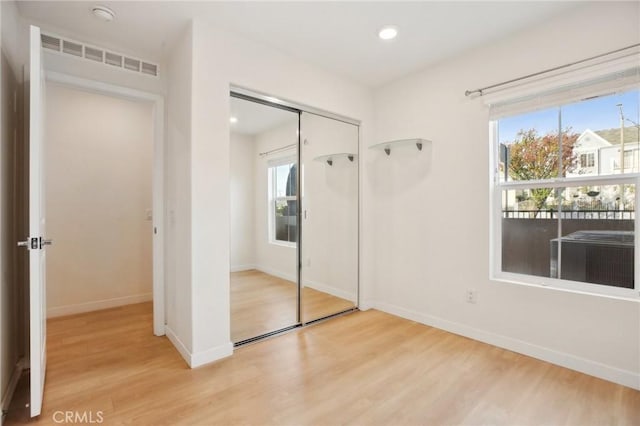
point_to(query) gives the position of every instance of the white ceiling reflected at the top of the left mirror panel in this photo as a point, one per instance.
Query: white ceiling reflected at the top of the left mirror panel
(254, 118)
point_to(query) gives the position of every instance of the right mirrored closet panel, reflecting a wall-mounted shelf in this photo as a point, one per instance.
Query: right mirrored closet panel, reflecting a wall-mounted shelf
(329, 245)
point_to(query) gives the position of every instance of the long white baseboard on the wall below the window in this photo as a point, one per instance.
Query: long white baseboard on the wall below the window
(606, 372)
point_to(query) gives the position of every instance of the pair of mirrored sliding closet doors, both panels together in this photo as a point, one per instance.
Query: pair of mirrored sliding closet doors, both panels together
(294, 217)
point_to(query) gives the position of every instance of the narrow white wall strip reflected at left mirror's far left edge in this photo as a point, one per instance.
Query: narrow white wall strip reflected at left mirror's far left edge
(242, 221)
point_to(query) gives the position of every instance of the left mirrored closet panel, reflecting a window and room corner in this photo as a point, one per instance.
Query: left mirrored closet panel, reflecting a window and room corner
(263, 248)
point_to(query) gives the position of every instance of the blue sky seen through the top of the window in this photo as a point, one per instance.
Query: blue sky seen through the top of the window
(595, 114)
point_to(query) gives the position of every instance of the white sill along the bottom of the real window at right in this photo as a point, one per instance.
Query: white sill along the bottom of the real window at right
(574, 287)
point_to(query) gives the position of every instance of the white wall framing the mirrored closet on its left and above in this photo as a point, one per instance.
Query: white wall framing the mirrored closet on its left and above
(219, 59)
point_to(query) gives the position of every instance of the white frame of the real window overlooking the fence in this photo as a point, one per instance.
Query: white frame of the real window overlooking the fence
(496, 188)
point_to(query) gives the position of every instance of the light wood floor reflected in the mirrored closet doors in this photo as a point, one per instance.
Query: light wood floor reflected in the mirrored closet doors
(261, 303)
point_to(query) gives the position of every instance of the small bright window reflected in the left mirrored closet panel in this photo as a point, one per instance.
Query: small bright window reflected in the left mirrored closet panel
(283, 201)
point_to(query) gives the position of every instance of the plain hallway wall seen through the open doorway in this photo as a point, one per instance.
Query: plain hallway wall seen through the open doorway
(98, 196)
